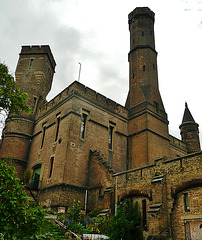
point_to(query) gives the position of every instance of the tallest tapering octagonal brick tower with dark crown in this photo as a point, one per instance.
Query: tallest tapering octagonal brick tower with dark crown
(148, 124)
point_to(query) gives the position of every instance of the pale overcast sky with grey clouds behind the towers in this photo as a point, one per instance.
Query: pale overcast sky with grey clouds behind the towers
(95, 33)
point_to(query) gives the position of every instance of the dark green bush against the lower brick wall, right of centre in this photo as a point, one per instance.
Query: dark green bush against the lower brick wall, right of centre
(126, 221)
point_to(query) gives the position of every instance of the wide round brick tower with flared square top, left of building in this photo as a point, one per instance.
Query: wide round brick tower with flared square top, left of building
(34, 75)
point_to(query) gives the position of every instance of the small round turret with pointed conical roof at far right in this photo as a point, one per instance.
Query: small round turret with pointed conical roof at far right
(189, 131)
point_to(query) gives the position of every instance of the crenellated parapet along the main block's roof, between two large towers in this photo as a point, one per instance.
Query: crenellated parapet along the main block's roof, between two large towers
(89, 94)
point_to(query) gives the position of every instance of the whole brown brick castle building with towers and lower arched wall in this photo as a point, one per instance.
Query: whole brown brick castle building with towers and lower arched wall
(82, 145)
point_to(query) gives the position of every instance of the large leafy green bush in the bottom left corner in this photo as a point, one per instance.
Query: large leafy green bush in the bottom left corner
(17, 218)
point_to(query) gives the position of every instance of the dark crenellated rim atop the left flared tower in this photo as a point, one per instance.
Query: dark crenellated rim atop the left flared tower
(39, 49)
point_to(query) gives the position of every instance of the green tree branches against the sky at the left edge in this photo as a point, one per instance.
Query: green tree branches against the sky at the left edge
(11, 99)
